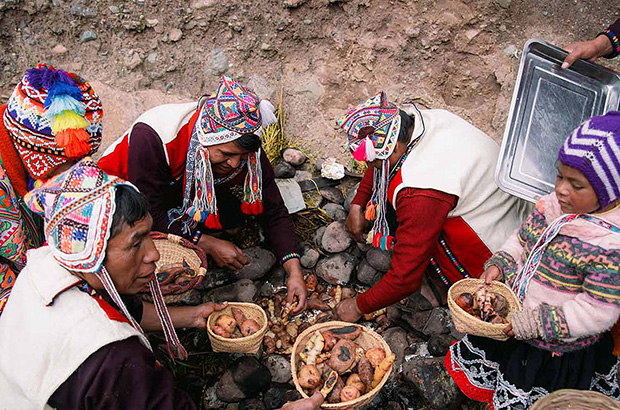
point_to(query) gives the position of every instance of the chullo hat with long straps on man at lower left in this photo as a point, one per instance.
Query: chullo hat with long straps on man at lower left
(78, 208)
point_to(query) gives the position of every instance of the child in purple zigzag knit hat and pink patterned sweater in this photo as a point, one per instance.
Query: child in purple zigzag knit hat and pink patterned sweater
(563, 264)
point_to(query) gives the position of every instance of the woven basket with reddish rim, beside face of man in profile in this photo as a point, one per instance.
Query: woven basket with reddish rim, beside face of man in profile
(174, 249)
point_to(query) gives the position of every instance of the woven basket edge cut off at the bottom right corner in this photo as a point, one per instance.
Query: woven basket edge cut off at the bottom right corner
(576, 399)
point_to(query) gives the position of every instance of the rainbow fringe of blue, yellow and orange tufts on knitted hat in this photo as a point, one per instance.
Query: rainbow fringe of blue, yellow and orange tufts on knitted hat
(65, 109)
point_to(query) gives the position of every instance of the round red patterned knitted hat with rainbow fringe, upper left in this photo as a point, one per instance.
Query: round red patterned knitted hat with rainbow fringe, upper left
(53, 116)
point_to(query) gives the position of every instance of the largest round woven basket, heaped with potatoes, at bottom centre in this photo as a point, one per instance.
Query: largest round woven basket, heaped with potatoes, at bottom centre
(367, 339)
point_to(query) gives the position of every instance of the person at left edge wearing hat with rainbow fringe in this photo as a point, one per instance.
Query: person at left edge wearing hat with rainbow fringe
(52, 119)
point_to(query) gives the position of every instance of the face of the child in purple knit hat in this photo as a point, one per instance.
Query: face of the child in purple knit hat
(574, 191)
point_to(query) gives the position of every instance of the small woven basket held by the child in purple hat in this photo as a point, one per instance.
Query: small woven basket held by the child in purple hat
(466, 323)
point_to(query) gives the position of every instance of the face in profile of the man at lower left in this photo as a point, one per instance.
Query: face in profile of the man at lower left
(131, 256)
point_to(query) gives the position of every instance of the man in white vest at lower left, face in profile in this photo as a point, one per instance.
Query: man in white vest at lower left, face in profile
(69, 340)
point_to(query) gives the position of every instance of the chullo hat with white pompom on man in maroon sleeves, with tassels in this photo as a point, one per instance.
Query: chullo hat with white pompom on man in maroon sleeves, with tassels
(234, 110)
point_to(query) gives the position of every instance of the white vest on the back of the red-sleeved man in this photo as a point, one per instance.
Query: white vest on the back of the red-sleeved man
(457, 158)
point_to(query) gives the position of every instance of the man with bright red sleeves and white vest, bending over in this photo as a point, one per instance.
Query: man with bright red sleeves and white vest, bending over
(437, 172)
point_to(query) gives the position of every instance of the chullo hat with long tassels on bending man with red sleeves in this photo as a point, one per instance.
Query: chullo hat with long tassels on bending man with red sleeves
(373, 128)
